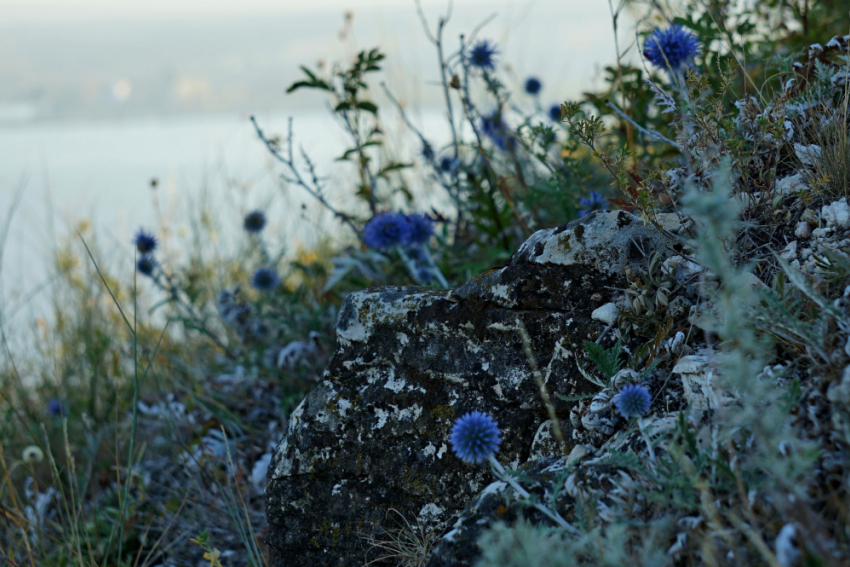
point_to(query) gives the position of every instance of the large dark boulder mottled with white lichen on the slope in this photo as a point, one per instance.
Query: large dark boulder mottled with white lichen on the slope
(373, 435)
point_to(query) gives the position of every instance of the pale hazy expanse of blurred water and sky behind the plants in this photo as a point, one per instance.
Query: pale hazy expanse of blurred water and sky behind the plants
(92, 111)
